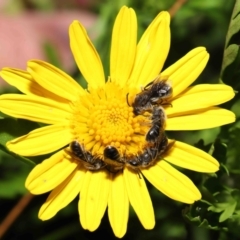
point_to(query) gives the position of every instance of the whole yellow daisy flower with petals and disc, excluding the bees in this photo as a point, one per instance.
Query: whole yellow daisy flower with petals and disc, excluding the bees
(101, 116)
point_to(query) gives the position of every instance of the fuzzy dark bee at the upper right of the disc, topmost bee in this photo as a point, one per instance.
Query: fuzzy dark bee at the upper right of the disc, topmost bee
(152, 94)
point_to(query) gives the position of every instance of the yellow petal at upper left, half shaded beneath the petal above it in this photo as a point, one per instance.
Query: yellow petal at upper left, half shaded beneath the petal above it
(25, 83)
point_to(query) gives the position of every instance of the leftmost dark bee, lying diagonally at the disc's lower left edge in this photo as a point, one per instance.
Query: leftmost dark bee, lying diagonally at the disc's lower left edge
(89, 161)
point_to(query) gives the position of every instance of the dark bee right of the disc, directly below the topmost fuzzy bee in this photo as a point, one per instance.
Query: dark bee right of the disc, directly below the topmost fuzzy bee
(158, 120)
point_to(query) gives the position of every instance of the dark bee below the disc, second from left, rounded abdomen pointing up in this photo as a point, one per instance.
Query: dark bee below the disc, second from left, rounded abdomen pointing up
(113, 159)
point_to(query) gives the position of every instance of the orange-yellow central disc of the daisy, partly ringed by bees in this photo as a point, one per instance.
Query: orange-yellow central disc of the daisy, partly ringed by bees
(103, 117)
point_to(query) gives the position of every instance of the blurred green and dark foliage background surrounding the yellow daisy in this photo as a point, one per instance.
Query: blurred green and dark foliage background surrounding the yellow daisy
(194, 23)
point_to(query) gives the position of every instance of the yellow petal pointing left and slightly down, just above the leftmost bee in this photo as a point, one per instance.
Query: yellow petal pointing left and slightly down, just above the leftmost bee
(41, 141)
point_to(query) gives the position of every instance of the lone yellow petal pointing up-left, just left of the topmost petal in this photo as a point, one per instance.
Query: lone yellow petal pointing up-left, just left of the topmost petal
(86, 56)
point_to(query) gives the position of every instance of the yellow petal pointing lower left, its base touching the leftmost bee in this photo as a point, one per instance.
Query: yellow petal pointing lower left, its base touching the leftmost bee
(50, 173)
